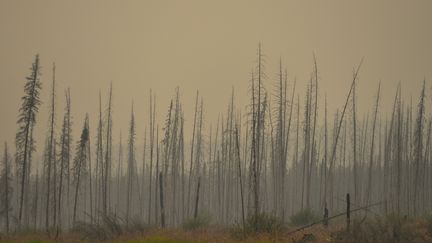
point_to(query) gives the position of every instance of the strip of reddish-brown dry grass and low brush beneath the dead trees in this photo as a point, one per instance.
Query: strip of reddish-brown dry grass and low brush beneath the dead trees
(373, 230)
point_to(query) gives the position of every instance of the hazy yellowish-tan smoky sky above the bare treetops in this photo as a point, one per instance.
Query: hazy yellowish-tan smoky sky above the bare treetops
(206, 45)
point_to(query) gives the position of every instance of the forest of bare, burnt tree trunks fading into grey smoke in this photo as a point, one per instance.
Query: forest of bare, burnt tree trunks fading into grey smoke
(282, 165)
